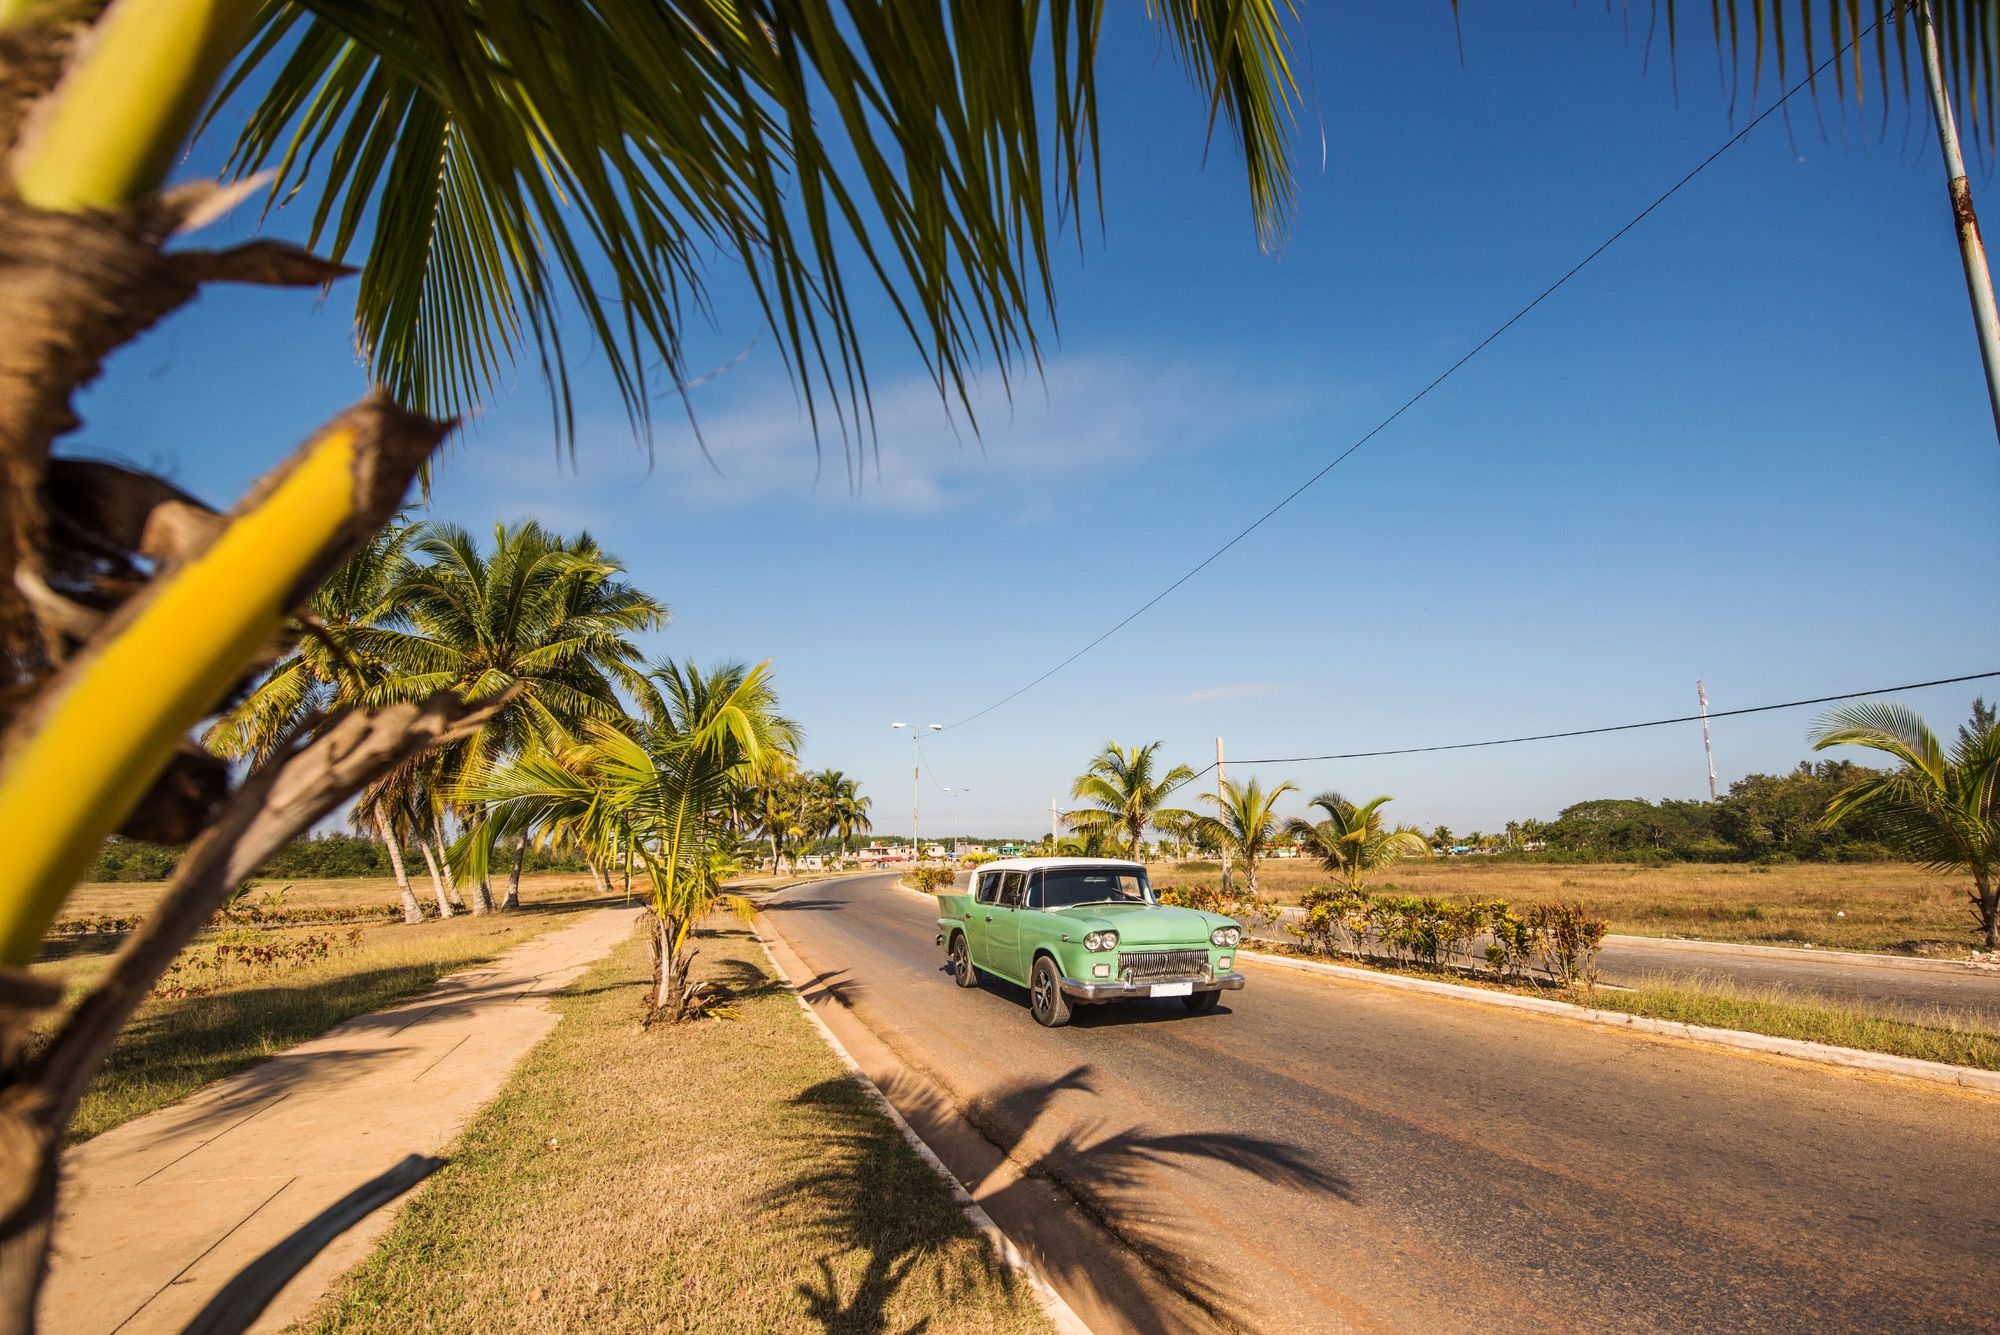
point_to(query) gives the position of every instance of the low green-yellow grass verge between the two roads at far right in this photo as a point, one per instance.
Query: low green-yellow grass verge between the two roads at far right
(1807, 1016)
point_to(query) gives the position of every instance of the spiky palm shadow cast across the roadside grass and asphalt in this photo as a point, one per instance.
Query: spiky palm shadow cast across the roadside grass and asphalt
(1123, 1180)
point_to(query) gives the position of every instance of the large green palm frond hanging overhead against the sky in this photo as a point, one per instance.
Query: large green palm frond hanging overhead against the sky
(509, 159)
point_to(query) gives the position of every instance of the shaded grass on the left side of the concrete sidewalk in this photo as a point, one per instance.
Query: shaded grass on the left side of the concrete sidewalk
(177, 1046)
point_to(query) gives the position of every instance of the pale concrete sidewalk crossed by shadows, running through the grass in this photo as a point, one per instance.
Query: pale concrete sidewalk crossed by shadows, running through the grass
(165, 1210)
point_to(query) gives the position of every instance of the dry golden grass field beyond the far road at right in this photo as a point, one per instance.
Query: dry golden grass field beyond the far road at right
(1849, 906)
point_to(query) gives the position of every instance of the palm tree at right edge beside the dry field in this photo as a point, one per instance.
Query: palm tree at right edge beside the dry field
(1939, 808)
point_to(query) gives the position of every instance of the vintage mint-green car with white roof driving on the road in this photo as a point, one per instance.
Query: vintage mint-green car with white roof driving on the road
(1085, 930)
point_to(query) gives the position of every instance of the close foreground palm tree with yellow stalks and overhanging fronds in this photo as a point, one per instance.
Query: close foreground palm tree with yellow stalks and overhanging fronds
(523, 171)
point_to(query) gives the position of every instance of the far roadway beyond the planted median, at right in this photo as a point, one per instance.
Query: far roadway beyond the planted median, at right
(1907, 988)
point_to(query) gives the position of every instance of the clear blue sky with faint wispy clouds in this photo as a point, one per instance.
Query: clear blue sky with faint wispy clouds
(1749, 445)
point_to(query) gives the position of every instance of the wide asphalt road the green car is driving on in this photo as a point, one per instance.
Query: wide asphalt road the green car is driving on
(1321, 1156)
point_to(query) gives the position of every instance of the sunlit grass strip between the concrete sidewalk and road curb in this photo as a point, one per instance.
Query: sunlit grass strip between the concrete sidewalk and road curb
(721, 1176)
